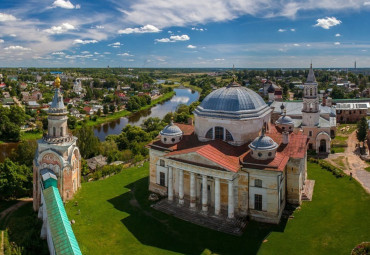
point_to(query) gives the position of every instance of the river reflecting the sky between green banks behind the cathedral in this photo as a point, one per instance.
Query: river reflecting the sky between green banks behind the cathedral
(183, 96)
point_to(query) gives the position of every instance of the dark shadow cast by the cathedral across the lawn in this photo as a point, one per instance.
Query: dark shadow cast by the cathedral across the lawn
(160, 230)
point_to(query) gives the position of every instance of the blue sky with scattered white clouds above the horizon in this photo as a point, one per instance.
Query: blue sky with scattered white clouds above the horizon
(189, 33)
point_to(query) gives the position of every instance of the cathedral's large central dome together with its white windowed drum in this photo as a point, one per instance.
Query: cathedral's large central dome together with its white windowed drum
(234, 114)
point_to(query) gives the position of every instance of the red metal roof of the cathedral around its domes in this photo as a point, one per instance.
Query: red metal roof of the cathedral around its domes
(232, 158)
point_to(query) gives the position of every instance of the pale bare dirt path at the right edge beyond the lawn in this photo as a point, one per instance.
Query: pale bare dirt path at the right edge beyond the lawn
(353, 163)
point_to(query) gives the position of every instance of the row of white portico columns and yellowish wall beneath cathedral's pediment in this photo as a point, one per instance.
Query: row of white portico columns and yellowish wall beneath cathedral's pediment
(200, 189)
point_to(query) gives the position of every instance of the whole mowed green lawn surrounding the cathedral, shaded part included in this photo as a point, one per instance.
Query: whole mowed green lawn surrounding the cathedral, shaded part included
(114, 216)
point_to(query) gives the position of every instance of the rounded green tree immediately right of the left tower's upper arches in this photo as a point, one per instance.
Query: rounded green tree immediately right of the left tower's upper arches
(87, 142)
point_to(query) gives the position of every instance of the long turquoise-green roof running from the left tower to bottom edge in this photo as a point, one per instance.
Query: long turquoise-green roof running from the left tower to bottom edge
(61, 231)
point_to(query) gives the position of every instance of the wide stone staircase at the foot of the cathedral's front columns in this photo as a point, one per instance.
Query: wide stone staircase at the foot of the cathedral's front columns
(219, 223)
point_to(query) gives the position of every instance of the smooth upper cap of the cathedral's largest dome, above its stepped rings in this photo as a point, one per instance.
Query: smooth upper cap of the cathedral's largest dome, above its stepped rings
(233, 98)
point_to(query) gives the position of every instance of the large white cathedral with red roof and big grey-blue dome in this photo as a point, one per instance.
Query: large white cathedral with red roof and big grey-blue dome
(233, 162)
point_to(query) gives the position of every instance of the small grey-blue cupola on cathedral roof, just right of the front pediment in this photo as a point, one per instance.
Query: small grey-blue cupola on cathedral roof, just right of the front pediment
(263, 147)
